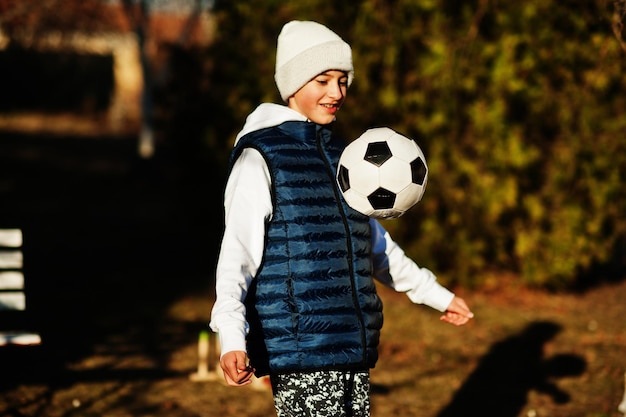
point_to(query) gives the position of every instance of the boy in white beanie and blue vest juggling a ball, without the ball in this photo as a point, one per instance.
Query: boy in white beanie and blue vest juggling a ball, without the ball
(294, 282)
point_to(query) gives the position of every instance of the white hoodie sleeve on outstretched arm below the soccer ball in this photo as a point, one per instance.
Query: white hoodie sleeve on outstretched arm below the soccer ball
(394, 269)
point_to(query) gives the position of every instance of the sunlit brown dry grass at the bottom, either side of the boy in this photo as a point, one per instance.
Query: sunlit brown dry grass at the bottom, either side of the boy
(525, 354)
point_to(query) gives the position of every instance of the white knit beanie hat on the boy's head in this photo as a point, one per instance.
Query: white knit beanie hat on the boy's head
(304, 50)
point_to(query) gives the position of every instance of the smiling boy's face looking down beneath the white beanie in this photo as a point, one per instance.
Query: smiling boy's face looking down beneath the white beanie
(320, 99)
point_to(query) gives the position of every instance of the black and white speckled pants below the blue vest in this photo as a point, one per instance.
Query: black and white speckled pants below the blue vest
(322, 394)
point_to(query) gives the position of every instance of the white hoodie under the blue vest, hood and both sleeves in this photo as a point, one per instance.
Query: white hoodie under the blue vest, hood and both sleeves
(248, 206)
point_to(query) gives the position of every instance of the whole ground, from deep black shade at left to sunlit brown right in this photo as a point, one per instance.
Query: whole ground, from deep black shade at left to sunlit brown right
(118, 261)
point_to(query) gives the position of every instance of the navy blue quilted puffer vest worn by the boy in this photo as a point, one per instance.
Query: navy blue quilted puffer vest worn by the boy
(313, 304)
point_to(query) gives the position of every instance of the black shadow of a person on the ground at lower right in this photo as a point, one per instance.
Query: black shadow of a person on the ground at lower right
(499, 385)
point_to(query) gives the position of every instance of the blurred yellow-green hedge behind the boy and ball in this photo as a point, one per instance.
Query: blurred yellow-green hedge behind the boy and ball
(519, 107)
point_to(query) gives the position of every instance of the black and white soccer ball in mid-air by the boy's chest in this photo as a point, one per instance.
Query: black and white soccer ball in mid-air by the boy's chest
(382, 174)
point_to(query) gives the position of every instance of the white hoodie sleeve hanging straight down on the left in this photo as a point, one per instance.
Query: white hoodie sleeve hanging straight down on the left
(247, 206)
